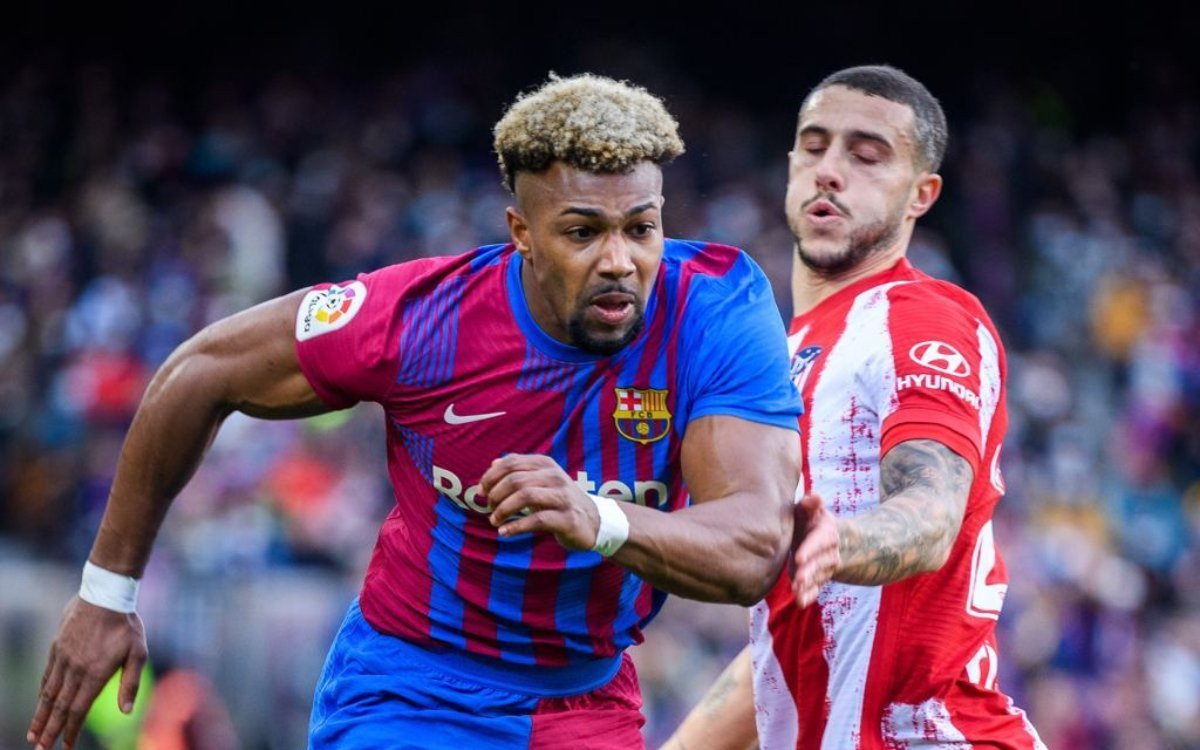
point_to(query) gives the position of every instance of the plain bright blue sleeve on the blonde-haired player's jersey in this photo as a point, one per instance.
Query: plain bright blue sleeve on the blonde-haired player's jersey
(736, 350)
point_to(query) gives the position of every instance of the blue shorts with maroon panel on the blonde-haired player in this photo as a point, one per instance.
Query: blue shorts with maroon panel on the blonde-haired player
(379, 692)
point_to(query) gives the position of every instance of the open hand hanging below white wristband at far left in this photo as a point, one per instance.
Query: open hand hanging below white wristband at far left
(92, 645)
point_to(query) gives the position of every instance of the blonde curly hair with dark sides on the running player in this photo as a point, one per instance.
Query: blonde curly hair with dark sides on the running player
(587, 122)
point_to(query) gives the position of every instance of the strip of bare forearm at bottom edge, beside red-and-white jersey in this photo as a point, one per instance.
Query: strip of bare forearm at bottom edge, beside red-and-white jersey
(725, 717)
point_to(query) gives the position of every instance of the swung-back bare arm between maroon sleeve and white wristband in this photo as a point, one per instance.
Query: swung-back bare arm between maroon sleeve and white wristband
(245, 364)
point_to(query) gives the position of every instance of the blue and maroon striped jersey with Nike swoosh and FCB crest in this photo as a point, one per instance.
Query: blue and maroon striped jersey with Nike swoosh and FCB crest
(465, 375)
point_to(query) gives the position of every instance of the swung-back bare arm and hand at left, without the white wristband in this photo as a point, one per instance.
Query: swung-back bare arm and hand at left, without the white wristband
(243, 364)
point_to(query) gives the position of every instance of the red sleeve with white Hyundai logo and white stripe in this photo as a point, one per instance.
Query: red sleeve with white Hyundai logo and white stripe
(949, 370)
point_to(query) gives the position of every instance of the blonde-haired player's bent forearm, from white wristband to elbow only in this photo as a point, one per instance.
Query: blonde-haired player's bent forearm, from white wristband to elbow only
(730, 550)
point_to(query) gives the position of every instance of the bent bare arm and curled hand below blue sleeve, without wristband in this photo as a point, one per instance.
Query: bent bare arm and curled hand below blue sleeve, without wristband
(729, 547)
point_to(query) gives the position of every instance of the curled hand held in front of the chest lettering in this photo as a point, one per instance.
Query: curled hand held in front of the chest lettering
(551, 502)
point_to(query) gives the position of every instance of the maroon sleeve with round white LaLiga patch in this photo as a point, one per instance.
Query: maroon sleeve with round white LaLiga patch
(345, 338)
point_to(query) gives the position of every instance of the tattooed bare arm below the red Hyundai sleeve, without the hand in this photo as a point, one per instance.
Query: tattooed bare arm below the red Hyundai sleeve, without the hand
(923, 489)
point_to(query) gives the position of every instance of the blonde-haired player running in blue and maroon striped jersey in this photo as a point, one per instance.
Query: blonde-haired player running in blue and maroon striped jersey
(579, 423)
